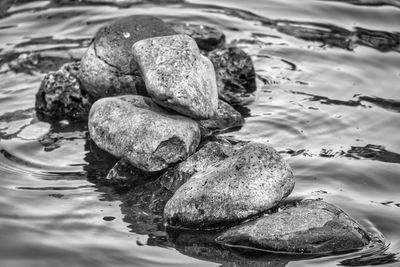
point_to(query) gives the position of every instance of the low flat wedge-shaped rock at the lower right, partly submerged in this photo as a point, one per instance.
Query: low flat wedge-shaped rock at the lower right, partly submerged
(313, 226)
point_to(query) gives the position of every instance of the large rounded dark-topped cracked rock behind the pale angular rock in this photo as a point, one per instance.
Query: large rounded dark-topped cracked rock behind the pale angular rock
(108, 67)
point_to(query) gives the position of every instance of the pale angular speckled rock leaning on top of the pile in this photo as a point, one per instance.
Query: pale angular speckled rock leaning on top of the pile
(177, 76)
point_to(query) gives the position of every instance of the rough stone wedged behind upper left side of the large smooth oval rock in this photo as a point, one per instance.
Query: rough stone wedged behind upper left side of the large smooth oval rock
(210, 153)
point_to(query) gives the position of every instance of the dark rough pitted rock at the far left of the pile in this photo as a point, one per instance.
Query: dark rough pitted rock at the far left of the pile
(60, 95)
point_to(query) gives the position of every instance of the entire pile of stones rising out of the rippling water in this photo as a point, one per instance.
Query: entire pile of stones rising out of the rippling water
(155, 98)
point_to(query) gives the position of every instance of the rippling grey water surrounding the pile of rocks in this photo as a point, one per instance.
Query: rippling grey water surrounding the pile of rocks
(328, 98)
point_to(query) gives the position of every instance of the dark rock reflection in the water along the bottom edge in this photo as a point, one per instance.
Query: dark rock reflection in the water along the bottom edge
(201, 245)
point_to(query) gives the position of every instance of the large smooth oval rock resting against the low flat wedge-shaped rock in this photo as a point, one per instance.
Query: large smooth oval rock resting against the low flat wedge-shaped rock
(251, 181)
